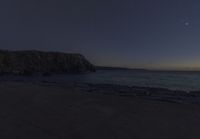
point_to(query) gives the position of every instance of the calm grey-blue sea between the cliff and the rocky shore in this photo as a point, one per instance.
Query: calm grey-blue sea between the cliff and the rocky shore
(172, 80)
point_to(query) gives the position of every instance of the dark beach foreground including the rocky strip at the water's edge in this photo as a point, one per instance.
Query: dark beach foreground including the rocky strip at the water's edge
(33, 111)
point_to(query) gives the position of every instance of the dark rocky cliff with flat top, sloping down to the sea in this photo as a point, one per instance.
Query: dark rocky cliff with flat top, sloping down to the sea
(28, 62)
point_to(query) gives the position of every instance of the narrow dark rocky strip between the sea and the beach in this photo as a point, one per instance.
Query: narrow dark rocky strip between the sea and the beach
(151, 93)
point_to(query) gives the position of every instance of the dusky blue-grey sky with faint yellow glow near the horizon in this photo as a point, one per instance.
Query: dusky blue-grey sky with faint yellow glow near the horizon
(152, 34)
